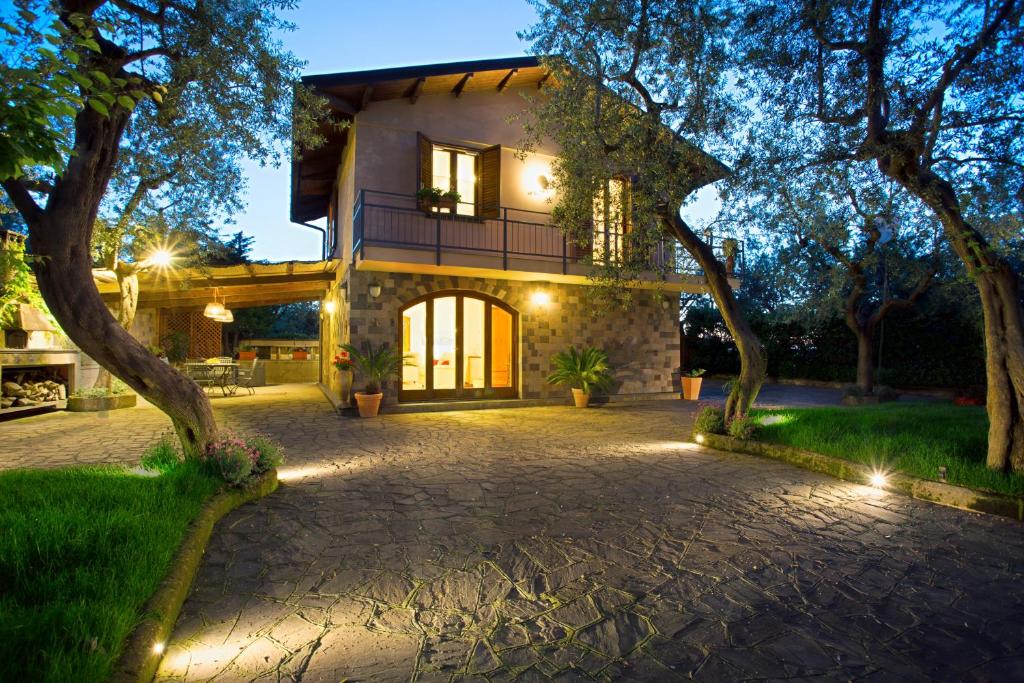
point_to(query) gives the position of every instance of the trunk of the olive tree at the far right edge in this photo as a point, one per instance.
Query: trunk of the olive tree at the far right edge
(999, 288)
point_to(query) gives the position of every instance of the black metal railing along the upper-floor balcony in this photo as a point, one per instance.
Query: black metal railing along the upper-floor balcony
(389, 220)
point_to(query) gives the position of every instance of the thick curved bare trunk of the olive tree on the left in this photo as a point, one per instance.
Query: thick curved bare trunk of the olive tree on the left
(61, 238)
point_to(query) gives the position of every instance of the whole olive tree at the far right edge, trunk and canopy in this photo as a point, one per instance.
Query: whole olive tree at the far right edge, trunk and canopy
(929, 93)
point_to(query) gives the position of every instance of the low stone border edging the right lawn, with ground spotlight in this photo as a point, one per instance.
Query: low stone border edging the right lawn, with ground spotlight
(934, 492)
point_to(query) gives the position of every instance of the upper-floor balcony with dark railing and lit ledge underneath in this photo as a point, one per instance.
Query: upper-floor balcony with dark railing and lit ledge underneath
(393, 234)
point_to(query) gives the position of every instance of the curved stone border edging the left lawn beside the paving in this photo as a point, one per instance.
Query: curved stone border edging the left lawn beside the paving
(141, 657)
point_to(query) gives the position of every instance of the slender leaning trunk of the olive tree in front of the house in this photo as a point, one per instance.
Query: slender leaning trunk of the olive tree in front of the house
(753, 364)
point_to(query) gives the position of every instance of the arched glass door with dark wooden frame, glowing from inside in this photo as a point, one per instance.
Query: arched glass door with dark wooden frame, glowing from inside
(458, 346)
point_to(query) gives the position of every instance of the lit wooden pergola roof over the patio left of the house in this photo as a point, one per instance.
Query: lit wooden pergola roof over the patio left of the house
(235, 286)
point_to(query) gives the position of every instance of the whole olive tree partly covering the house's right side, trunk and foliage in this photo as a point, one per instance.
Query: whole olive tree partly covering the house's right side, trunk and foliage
(639, 90)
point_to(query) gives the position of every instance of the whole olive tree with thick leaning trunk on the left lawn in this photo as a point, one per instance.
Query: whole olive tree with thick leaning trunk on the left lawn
(75, 75)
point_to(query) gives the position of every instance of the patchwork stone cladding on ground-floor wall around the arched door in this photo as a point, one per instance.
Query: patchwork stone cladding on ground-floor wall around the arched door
(643, 343)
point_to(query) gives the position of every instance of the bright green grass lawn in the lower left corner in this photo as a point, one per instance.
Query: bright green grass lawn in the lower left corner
(81, 551)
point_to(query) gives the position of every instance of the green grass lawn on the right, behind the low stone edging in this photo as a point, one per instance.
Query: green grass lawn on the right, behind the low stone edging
(916, 439)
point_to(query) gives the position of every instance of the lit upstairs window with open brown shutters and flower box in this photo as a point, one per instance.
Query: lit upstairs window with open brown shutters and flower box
(475, 174)
